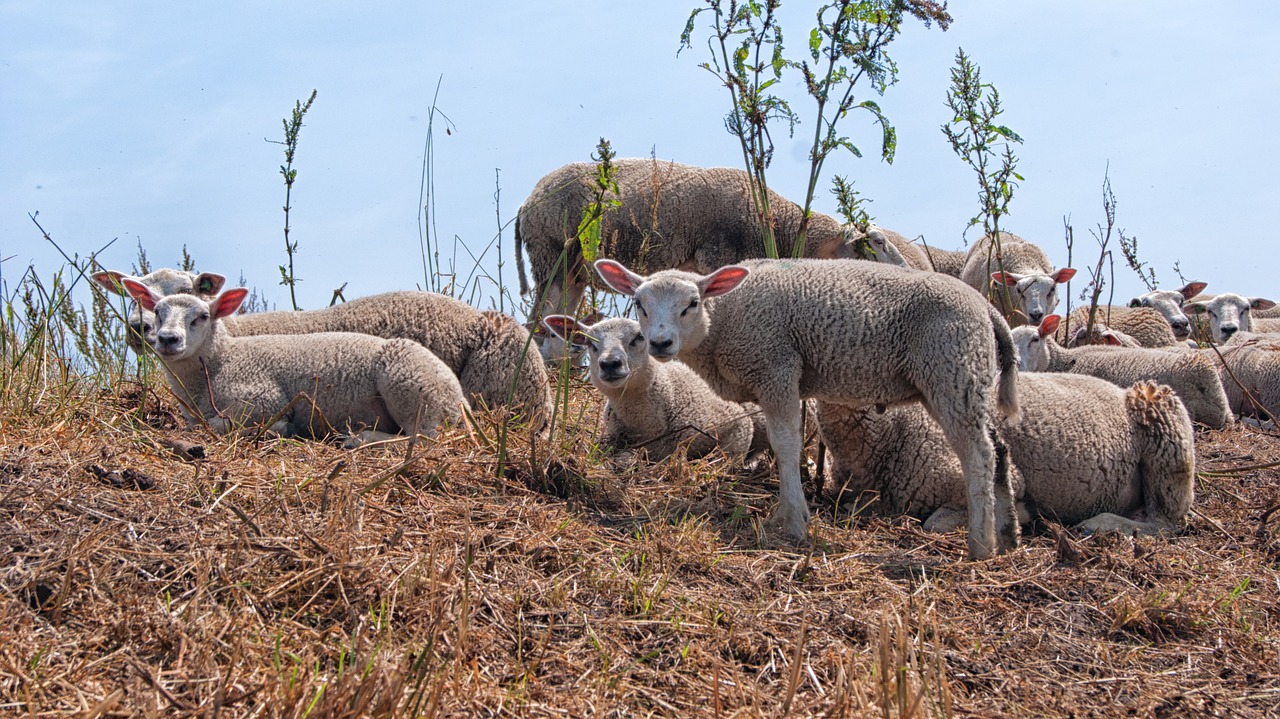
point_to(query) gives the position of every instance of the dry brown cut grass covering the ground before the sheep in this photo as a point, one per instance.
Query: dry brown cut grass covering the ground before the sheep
(286, 579)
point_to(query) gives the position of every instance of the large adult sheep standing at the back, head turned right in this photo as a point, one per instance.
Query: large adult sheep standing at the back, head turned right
(670, 217)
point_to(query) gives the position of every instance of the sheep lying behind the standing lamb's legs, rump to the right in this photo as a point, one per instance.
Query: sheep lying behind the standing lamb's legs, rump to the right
(1082, 452)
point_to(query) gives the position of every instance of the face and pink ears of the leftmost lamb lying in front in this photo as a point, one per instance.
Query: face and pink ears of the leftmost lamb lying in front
(184, 323)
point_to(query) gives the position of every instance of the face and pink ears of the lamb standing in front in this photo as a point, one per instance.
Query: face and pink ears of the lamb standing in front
(671, 303)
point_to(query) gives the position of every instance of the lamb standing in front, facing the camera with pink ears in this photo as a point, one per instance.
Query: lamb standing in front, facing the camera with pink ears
(812, 329)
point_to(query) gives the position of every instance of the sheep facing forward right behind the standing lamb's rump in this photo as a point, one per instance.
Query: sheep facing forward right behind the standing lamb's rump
(1031, 291)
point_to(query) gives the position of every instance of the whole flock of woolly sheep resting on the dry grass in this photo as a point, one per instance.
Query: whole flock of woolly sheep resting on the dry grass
(943, 383)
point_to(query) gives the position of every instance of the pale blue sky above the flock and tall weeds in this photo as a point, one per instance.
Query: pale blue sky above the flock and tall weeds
(149, 122)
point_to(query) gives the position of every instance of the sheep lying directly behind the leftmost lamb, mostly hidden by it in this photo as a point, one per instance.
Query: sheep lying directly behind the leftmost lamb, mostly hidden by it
(488, 351)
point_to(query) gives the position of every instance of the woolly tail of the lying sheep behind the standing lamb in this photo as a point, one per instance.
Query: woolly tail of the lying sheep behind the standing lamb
(1168, 452)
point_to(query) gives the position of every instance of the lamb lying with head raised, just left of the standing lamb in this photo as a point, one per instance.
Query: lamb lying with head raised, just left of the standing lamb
(652, 405)
